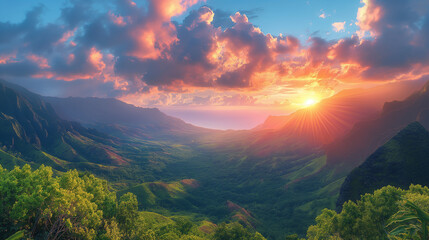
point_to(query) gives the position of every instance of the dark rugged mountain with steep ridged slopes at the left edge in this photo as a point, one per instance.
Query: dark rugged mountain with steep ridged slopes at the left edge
(31, 131)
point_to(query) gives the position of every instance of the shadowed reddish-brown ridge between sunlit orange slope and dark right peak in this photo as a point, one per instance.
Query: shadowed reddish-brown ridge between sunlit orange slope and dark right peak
(365, 137)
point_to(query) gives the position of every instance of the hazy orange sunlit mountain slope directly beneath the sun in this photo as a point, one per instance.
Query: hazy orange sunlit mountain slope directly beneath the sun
(333, 117)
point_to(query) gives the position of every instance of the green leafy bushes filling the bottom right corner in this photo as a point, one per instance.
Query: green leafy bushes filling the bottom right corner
(367, 217)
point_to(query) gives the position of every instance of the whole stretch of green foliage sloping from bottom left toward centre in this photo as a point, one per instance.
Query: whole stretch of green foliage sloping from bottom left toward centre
(37, 205)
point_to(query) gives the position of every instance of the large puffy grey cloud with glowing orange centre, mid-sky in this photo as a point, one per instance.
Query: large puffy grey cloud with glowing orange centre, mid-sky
(206, 56)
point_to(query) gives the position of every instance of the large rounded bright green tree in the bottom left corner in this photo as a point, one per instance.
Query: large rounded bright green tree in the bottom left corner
(48, 207)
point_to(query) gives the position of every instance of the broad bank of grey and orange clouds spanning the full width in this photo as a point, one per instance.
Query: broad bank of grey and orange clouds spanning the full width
(135, 49)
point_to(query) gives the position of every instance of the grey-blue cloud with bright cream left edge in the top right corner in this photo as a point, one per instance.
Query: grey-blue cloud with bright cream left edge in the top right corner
(399, 46)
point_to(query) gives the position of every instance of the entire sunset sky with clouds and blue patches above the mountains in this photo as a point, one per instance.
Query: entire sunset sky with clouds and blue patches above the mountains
(215, 63)
